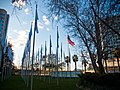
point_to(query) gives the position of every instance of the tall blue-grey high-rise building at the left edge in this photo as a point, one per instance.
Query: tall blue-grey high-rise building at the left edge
(4, 18)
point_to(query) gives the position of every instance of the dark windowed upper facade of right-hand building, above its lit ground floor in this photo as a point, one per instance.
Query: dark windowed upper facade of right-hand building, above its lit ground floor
(111, 40)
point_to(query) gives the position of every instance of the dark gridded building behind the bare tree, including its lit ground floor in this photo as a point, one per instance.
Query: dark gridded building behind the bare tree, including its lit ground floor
(111, 41)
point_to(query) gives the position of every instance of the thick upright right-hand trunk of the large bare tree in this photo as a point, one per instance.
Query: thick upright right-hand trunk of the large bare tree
(98, 37)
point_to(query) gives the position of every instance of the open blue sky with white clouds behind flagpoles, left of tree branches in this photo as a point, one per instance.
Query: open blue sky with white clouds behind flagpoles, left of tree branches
(19, 27)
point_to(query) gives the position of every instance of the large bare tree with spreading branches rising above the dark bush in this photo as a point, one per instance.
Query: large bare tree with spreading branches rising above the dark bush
(81, 18)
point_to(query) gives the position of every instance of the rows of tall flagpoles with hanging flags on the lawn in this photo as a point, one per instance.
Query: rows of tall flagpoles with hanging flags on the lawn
(26, 54)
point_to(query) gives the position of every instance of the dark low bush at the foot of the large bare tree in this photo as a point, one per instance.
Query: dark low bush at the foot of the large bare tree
(110, 81)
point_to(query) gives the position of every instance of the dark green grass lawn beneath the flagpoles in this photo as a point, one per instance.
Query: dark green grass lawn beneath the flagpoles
(16, 83)
